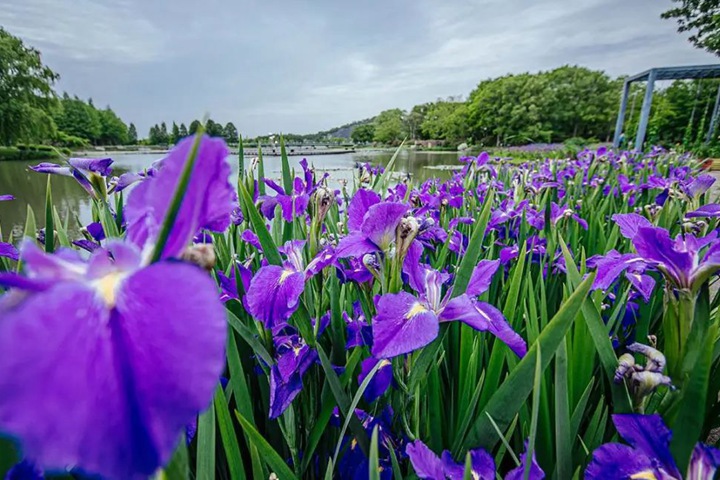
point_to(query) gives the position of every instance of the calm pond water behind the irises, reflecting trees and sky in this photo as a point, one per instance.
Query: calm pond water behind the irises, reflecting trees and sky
(74, 205)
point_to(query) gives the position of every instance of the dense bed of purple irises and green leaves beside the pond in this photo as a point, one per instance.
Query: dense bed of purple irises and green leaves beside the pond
(551, 319)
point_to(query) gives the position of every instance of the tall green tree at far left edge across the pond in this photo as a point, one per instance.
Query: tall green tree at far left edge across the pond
(26, 95)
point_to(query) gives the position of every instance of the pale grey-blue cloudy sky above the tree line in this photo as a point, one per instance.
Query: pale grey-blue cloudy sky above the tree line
(302, 66)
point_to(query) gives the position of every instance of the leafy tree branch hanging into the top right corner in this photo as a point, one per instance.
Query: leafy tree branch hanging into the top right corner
(702, 19)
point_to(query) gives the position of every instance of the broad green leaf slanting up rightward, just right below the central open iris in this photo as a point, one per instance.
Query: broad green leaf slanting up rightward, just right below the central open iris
(512, 393)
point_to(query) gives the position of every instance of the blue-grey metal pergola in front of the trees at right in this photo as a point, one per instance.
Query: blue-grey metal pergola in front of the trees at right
(651, 76)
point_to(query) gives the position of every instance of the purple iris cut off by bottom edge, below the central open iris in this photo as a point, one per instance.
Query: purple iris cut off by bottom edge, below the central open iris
(429, 466)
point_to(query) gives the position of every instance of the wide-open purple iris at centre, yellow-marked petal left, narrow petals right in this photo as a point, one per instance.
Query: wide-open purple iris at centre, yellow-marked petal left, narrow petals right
(405, 322)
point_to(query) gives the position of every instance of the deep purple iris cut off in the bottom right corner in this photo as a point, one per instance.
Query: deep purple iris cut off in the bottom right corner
(648, 455)
